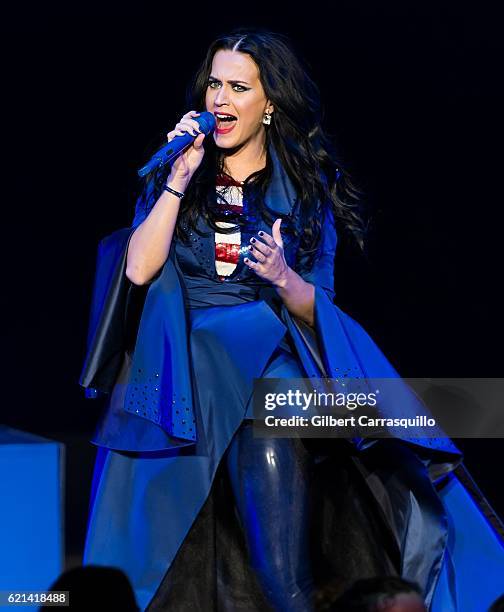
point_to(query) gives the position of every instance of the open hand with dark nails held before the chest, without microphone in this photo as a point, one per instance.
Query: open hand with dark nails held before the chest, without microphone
(268, 250)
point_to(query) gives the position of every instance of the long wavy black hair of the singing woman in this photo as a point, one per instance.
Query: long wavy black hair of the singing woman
(308, 156)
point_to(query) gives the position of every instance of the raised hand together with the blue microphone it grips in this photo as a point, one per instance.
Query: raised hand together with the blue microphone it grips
(185, 143)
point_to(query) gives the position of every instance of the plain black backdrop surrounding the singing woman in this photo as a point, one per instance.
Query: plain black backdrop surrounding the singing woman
(412, 92)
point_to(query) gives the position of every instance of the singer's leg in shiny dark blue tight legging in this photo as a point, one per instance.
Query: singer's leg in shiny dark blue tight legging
(267, 476)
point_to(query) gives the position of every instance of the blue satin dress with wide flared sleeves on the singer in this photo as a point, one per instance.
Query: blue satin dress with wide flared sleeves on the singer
(182, 392)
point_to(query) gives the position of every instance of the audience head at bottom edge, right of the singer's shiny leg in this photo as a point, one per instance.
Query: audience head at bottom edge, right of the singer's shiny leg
(381, 594)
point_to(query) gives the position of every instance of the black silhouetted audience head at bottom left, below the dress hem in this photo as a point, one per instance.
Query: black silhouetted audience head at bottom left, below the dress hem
(94, 587)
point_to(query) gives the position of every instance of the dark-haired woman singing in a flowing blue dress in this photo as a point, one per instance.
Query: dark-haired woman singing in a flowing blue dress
(226, 276)
